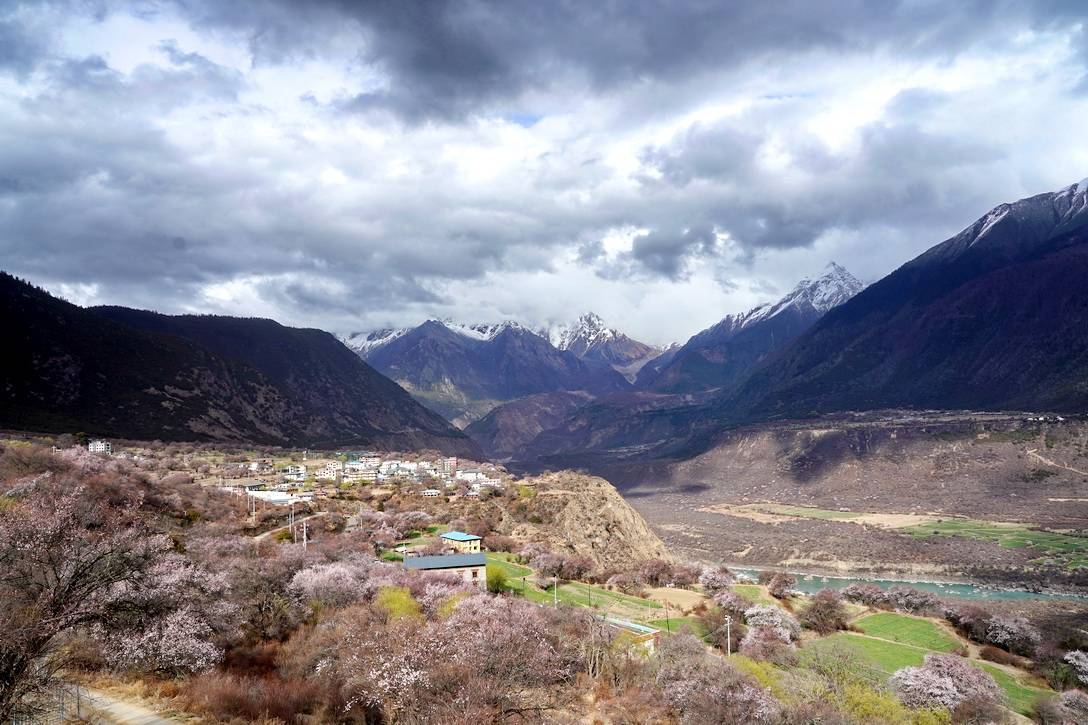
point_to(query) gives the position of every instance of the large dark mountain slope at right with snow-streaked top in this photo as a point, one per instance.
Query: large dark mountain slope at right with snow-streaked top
(995, 318)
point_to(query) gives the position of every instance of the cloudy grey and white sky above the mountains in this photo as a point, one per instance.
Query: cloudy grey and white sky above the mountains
(356, 165)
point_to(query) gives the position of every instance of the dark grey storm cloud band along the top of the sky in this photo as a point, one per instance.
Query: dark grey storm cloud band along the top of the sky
(447, 59)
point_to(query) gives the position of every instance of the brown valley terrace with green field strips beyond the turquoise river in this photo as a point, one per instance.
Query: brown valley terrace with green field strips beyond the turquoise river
(944, 496)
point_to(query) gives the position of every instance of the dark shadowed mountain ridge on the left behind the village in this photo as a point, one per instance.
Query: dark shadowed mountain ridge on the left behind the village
(131, 374)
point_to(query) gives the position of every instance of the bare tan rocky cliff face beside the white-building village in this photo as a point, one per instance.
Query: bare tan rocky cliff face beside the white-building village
(586, 515)
